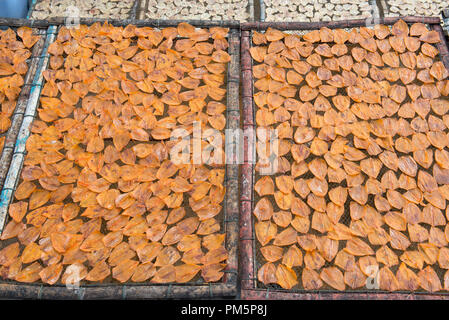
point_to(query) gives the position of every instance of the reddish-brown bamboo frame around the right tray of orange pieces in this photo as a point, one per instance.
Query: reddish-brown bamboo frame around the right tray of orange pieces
(248, 271)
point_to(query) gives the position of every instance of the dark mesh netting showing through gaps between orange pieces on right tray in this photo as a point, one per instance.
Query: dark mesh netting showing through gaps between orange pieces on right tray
(345, 218)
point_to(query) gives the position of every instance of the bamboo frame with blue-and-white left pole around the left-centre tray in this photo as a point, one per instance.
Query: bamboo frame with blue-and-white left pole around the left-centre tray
(227, 286)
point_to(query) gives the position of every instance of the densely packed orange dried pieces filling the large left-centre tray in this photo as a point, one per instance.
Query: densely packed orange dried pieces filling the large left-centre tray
(99, 193)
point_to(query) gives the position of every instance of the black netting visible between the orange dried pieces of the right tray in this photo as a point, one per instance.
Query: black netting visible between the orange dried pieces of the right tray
(345, 218)
